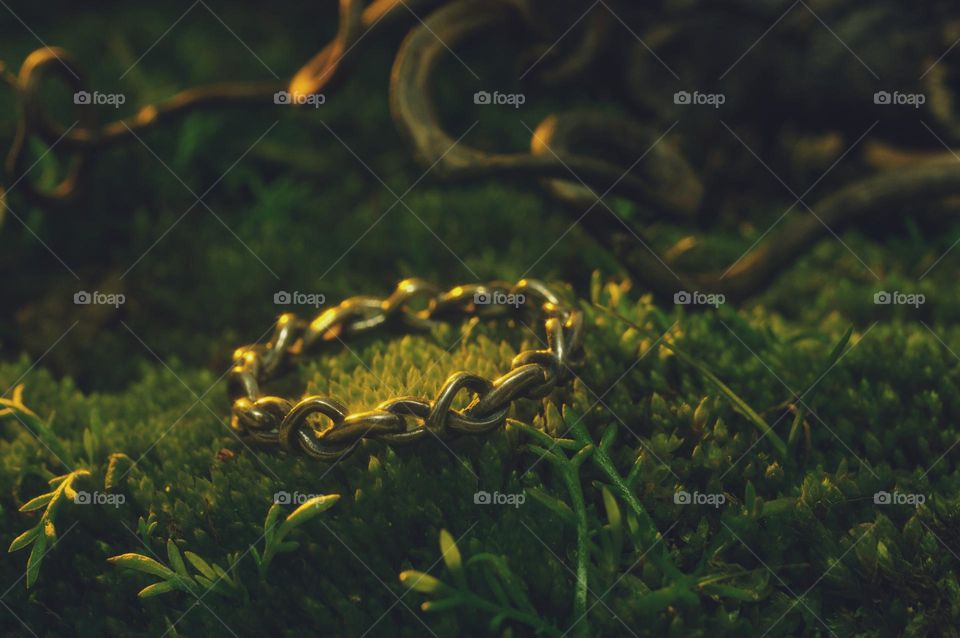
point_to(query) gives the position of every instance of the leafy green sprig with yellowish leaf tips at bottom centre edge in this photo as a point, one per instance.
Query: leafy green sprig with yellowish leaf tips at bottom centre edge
(503, 596)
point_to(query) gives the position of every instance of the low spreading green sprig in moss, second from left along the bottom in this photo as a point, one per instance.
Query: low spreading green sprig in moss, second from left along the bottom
(177, 578)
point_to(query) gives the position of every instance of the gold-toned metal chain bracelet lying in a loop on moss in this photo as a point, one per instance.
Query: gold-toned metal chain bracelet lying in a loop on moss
(294, 426)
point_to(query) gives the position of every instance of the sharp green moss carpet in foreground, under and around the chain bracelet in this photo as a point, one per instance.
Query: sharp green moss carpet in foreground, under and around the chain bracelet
(804, 515)
